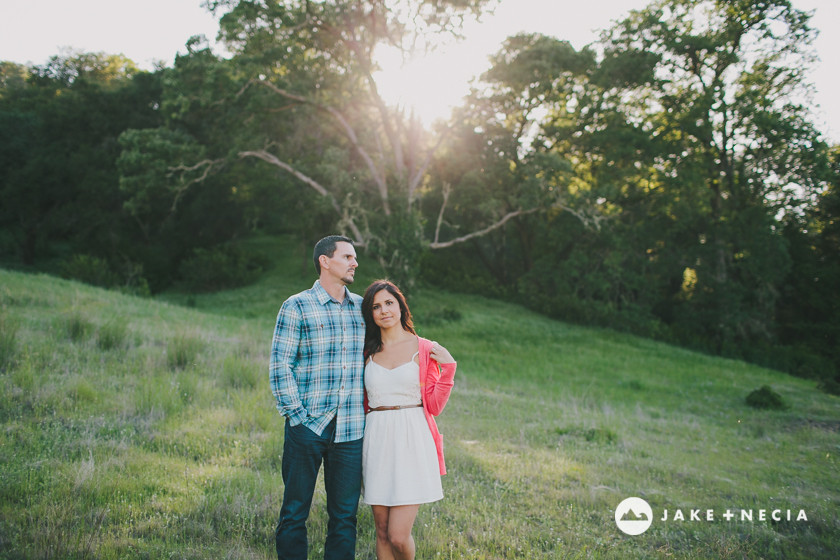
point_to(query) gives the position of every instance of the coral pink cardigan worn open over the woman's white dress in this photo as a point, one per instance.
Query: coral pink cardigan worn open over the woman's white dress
(436, 382)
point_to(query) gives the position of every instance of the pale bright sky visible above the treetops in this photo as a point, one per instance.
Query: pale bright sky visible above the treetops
(155, 30)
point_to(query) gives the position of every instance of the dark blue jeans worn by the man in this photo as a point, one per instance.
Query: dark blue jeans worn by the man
(303, 452)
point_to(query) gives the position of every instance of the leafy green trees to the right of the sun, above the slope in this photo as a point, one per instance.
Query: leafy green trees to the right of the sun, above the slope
(674, 171)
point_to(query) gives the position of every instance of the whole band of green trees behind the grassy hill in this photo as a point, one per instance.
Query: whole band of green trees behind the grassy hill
(666, 180)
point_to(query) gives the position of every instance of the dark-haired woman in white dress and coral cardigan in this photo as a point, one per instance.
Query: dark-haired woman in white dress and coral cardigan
(408, 380)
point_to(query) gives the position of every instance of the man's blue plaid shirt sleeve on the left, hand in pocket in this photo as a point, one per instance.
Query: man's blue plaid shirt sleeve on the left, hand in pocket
(284, 348)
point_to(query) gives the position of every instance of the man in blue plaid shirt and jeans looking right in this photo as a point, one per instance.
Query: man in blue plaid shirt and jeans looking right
(317, 377)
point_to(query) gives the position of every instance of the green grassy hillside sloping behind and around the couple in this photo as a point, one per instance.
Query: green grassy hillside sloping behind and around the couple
(137, 428)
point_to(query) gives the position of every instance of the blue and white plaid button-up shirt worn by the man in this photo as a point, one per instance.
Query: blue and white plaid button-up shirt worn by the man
(317, 368)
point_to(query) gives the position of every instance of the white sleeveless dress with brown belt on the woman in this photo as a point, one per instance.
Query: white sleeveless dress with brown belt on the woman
(399, 459)
